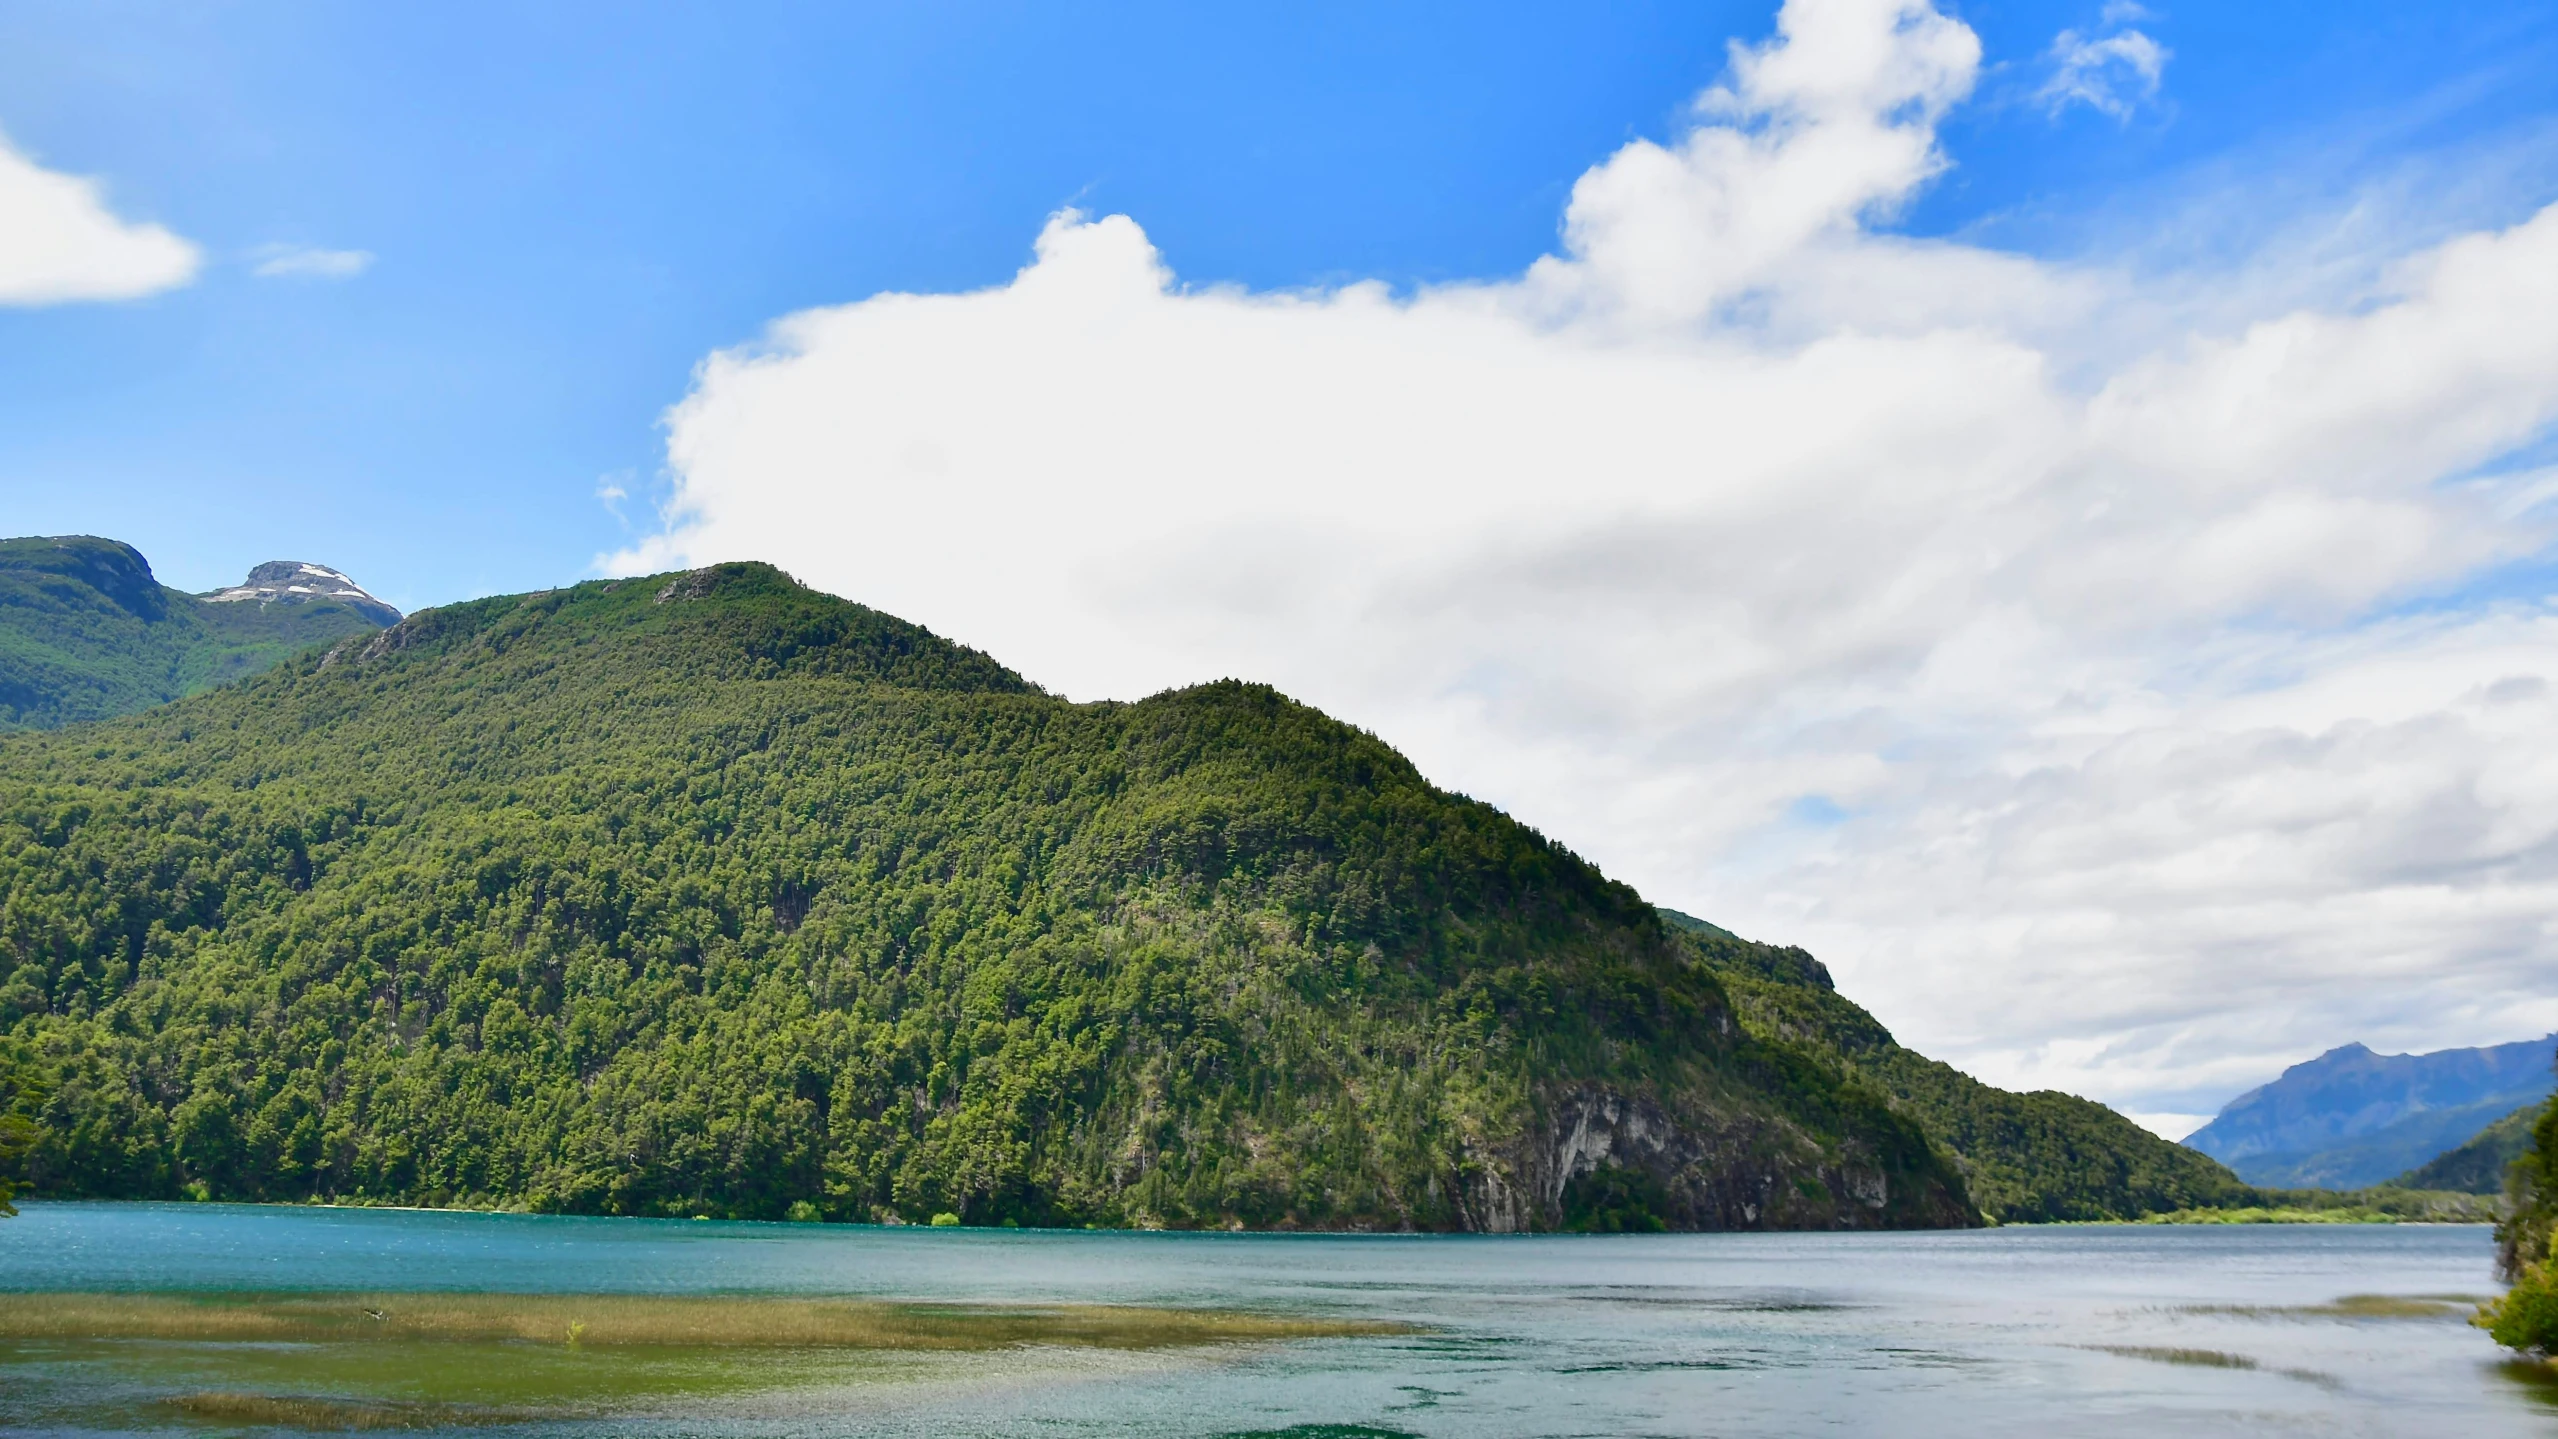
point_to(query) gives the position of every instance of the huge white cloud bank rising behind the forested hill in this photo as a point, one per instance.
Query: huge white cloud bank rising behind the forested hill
(2081, 689)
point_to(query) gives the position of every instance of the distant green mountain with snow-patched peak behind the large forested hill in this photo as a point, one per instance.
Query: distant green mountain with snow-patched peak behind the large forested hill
(88, 633)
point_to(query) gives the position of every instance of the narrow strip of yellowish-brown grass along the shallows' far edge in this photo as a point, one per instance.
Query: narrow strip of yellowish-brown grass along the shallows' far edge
(633, 1320)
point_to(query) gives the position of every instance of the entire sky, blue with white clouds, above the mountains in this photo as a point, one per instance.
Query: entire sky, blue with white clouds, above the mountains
(2053, 507)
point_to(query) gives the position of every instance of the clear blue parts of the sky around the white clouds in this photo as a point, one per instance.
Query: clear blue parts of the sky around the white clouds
(572, 206)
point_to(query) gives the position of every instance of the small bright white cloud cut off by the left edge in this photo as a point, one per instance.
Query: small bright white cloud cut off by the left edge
(60, 242)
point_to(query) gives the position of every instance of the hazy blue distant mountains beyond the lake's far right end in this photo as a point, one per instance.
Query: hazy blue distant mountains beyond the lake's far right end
(2355, 1118)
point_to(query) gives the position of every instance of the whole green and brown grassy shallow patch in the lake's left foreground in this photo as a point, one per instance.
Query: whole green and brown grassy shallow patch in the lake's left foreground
(441, 1361)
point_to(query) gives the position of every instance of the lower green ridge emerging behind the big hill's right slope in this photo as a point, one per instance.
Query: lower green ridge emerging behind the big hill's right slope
(2027, 1157)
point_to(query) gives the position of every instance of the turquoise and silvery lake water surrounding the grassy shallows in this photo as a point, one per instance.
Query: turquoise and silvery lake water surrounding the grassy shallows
(2083, 1330)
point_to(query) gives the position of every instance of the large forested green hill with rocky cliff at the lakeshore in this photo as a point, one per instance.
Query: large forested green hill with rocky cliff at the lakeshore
(715, 896)
